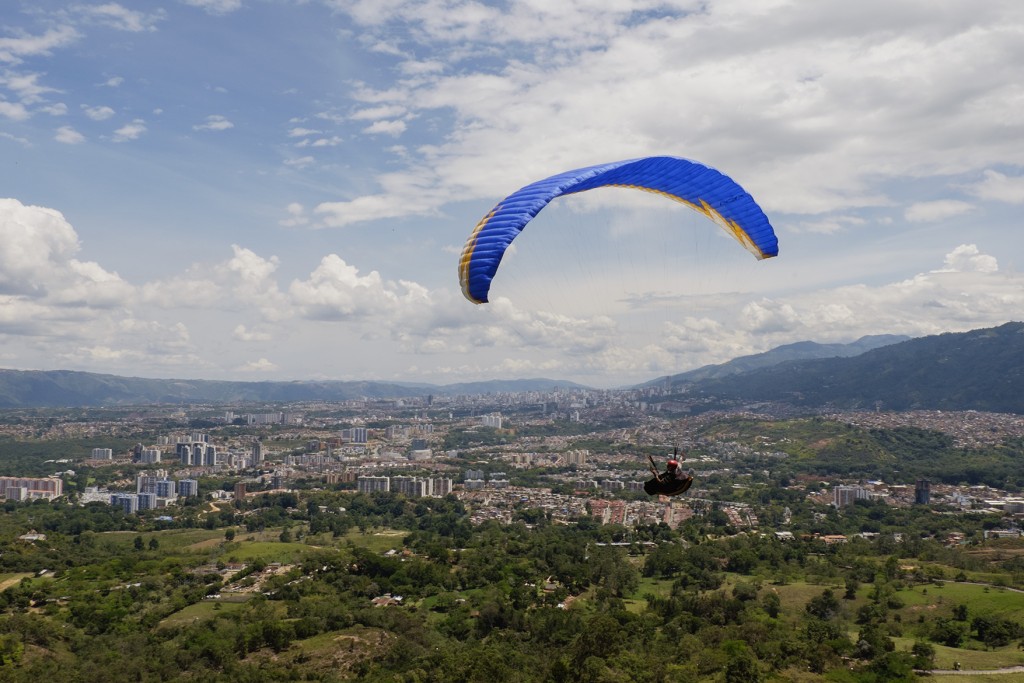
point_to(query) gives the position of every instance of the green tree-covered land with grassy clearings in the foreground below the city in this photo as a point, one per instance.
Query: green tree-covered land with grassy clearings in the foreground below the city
(117, 599)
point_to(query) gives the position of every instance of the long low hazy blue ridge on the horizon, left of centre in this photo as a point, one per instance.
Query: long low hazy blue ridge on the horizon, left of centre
(68, 389)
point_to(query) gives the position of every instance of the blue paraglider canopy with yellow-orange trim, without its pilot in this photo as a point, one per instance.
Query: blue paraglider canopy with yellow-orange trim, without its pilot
(703, 189)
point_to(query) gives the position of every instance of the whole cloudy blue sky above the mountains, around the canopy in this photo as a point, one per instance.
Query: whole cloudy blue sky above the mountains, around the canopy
(280, 190)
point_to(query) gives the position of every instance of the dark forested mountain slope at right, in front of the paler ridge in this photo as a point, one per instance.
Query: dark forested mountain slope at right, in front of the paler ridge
(983, 370)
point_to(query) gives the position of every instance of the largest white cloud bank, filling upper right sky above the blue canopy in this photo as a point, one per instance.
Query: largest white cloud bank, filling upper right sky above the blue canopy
(890, 92)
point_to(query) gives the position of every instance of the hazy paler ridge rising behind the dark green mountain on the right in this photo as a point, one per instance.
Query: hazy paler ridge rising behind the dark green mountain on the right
(797, 352)
